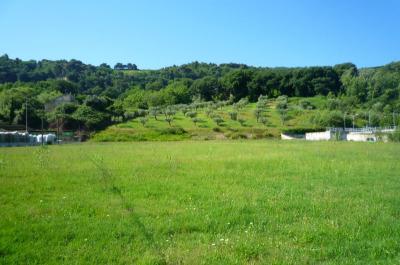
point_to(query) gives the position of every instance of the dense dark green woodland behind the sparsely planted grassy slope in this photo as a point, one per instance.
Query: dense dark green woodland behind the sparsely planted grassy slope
(104, 95)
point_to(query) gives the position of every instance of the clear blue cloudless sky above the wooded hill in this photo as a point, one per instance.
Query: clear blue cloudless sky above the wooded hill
(158, 33)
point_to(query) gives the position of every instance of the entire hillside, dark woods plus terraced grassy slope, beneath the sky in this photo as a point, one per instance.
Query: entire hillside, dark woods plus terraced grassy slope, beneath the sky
(105, 96)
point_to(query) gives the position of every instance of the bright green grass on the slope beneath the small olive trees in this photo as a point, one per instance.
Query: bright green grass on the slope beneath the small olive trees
(205, 130)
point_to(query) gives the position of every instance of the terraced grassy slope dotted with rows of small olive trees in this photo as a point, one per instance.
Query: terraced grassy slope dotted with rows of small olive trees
(245, 126)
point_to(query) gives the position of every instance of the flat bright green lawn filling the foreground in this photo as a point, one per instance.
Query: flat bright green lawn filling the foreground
(204, 202)
